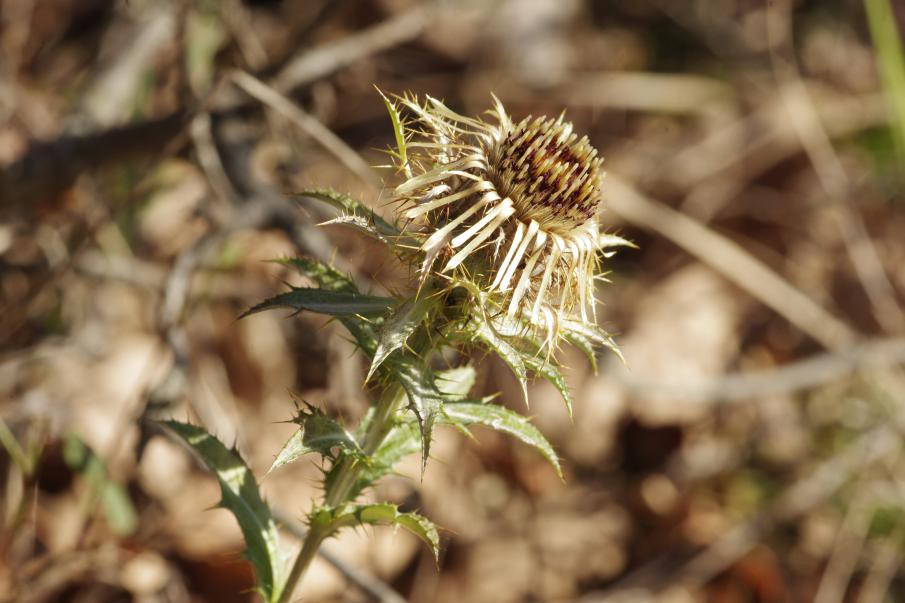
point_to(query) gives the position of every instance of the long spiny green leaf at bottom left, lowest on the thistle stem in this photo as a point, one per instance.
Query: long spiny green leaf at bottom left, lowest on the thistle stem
(241, 497)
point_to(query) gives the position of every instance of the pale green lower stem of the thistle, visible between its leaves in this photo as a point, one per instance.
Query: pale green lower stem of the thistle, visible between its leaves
(347, 475)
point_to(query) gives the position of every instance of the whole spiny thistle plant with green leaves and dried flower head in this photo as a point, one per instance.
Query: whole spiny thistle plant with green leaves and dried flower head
(496, 221)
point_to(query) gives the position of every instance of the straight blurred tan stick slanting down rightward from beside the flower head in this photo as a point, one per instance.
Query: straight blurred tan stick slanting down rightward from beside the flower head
(733, 262)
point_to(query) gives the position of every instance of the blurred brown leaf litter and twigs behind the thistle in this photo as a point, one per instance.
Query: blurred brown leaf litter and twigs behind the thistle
(750, 449)
